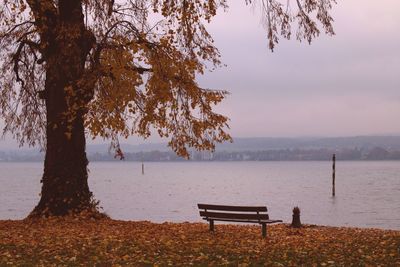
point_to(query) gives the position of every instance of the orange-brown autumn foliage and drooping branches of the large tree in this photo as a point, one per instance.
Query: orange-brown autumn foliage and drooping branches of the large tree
(141, 65)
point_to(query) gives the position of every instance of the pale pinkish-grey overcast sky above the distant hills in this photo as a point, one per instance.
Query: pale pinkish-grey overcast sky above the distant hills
(344, 85)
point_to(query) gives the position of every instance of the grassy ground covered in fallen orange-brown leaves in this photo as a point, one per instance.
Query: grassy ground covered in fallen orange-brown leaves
(108, 242)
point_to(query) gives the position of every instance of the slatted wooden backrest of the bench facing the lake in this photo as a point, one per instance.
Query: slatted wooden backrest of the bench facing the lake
(255, 213)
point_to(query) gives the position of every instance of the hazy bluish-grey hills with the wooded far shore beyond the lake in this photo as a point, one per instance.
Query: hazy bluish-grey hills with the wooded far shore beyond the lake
(356, 147)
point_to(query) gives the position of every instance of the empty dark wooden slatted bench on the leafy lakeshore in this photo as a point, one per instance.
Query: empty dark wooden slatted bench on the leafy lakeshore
(245, 214)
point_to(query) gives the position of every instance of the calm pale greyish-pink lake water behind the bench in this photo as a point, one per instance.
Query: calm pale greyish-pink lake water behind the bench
(367, 192)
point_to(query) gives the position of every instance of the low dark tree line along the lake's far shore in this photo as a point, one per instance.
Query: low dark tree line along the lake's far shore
(377, 153)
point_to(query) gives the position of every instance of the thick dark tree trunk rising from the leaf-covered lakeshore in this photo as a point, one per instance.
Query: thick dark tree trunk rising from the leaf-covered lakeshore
(65, 187)
